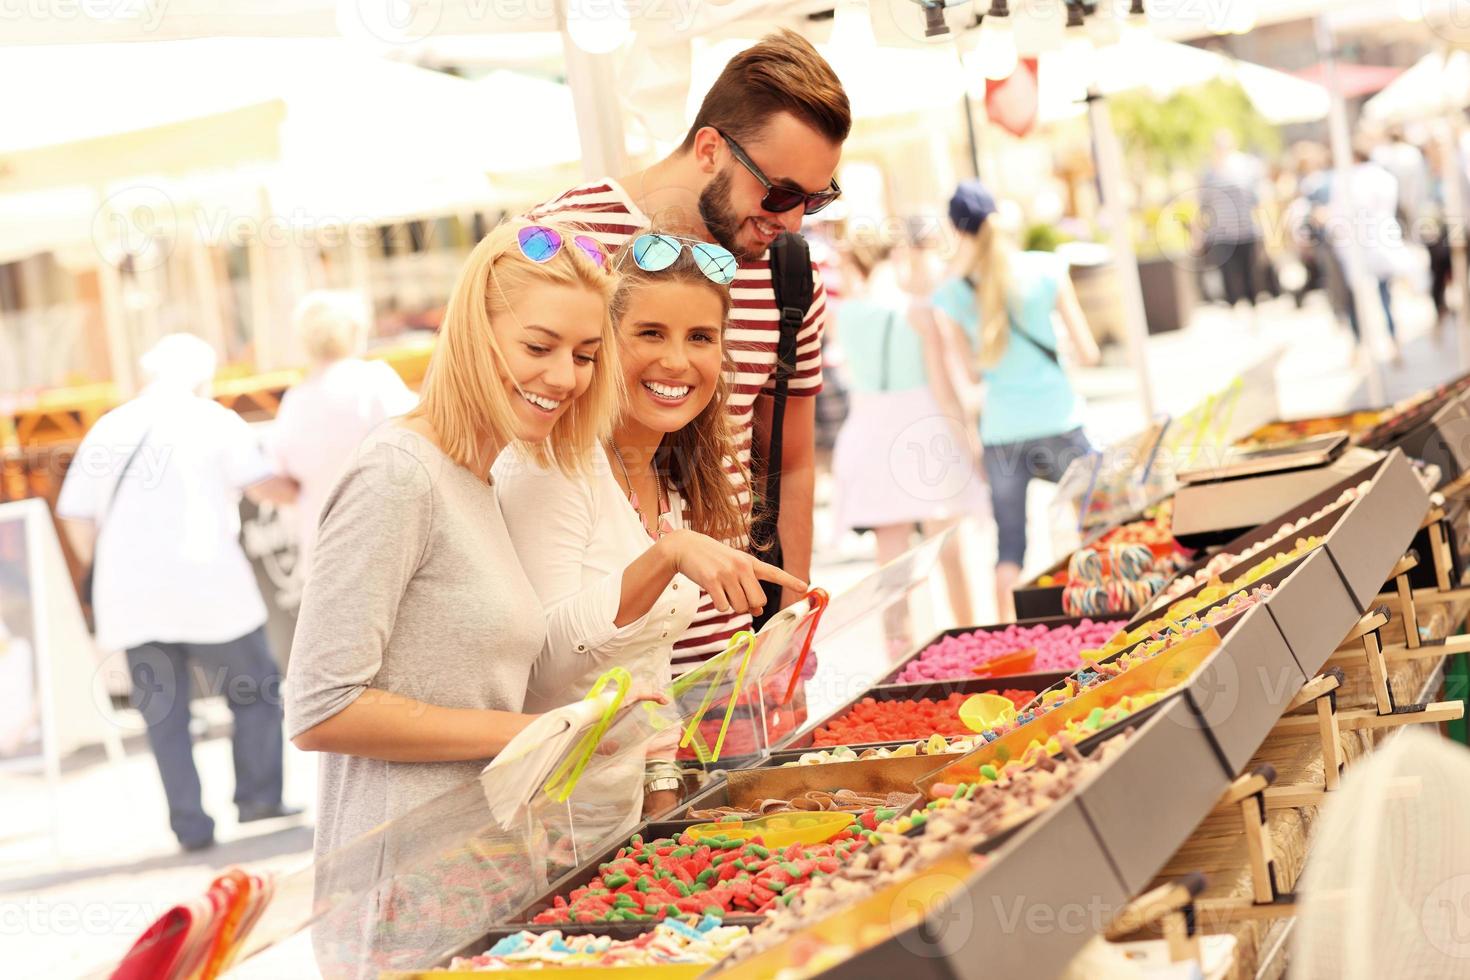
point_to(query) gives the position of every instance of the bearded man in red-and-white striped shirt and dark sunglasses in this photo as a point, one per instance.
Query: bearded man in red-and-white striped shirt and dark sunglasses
(762, 154)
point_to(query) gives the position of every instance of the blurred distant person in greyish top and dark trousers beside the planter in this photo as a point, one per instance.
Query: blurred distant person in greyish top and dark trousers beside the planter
(1228, 233)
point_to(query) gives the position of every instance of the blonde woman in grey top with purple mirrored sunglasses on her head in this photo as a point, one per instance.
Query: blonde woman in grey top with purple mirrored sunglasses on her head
(418, 628)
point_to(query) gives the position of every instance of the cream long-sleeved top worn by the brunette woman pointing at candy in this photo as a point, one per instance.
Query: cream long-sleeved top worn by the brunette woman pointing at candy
(576, 537)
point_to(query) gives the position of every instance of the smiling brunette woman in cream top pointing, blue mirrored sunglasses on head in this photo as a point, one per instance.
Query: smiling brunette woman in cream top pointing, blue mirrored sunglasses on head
(620, 555)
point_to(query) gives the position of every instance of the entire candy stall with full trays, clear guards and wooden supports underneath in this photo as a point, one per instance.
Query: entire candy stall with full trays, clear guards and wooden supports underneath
(1136, 762)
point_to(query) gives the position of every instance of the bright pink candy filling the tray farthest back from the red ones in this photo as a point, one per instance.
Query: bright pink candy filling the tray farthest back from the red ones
(1058, 647)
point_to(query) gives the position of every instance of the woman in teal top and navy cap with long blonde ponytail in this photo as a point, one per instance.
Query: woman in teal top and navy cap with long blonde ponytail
(1031, 424)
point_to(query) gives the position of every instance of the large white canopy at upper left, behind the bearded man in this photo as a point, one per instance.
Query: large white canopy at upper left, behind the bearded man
(409, 142)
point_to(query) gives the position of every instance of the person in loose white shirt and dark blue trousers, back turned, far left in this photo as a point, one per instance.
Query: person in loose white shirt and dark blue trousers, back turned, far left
(154, 500)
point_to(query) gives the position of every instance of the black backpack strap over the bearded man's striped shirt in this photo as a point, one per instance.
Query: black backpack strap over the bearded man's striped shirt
(792, 278)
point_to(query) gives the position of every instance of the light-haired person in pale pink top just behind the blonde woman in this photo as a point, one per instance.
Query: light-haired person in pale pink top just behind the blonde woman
(331, 412)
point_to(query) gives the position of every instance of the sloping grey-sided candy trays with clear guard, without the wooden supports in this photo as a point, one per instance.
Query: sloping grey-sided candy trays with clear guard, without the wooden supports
(936, 850)
